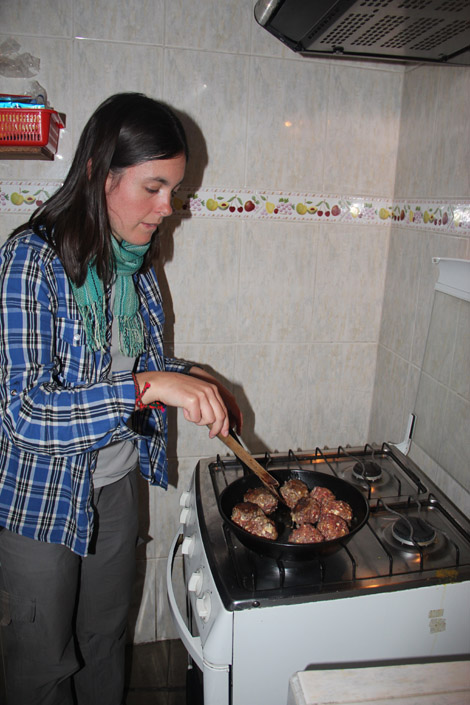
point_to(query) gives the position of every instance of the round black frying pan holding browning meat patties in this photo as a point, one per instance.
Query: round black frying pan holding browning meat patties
(281, 549)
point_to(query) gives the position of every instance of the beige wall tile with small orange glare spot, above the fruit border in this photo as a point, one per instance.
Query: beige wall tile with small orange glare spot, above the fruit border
(279, 156)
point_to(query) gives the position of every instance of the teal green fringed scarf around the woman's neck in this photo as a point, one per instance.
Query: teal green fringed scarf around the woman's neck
(90, 298)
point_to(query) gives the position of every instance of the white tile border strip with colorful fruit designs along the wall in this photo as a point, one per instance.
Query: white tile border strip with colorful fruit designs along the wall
(454, 217)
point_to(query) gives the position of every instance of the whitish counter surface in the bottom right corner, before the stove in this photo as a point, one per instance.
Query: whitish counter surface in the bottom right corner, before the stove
(443, 683)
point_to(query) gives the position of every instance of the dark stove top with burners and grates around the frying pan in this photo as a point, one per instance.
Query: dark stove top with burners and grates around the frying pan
(414, 535)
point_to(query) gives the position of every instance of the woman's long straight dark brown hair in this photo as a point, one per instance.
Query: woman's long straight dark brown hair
(127, 129)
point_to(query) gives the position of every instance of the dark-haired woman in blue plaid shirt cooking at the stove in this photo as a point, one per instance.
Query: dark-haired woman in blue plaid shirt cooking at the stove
(84, 386)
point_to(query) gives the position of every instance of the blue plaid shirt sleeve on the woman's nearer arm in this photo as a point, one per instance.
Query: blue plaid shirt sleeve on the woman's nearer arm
(49, 402)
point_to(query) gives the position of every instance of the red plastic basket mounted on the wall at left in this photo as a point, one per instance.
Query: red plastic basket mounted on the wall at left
(33, 128)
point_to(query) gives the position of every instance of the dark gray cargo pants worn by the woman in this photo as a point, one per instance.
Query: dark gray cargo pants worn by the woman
(64, 618)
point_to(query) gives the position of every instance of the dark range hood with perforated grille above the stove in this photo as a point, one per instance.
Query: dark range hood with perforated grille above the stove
(406, 31)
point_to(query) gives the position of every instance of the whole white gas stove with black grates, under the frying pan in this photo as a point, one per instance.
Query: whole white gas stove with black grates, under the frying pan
(406, 571)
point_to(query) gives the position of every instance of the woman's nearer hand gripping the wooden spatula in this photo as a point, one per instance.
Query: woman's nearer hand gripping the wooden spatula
(200, 399)
